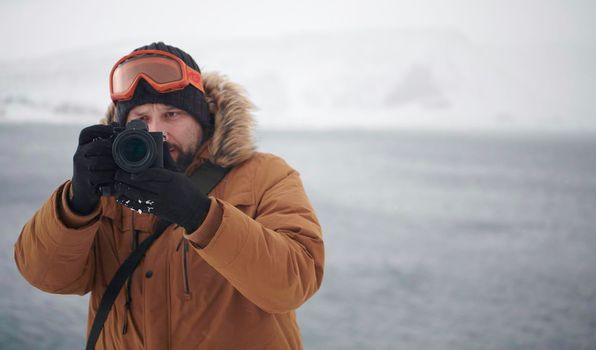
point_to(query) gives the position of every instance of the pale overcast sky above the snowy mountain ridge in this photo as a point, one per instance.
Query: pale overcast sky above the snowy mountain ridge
(39, 27)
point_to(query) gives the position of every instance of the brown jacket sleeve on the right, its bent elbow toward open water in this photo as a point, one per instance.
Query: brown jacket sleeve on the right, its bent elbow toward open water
(275, 260)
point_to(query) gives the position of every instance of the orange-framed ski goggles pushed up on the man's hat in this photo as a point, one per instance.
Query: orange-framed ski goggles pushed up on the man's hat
(165, 72)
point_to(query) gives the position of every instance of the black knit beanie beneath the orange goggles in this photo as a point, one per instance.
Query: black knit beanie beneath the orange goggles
(189, 99)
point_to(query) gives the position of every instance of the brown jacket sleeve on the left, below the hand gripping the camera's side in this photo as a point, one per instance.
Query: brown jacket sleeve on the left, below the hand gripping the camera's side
(54, 249)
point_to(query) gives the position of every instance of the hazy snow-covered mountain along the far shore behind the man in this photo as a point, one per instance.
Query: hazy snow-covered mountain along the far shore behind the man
(423, 78)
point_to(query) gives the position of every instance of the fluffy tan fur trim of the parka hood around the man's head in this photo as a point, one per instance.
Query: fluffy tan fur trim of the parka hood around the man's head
(233, 141)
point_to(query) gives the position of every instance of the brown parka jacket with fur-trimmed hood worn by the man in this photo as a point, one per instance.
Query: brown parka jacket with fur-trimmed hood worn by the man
(234, 283)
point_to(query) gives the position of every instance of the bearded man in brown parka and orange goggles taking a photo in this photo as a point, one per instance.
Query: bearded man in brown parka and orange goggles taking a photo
(233, 267)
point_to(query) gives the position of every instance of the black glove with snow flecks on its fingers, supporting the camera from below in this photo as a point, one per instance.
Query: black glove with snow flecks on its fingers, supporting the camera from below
(165, 192)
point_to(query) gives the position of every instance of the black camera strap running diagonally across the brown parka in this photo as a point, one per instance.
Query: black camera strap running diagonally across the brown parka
(205, 178)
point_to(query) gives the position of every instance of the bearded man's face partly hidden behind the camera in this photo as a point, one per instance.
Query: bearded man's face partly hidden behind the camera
(183, 132)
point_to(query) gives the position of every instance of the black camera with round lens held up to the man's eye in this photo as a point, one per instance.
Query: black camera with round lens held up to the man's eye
(135, 149)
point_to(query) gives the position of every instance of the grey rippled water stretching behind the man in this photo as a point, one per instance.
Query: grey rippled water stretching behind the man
(433, 239)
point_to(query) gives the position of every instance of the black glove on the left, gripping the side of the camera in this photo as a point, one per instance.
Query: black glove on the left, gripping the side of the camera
(93, 165)
